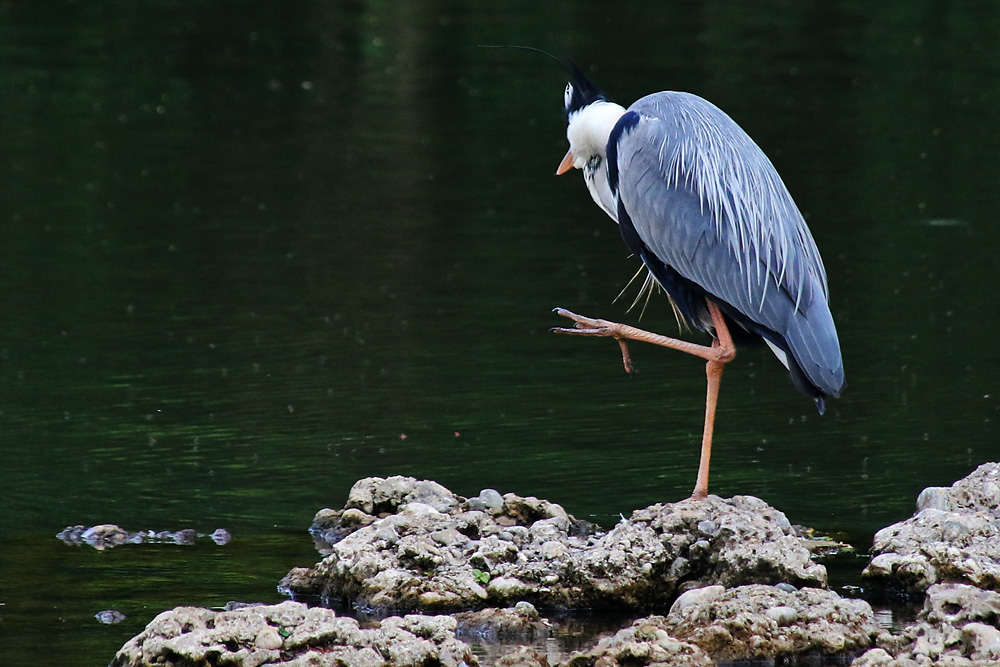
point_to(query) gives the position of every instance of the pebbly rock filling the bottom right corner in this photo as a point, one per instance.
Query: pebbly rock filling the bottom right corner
(959, 626)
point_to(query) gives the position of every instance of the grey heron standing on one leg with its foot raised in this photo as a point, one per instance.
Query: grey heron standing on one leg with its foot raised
(704, 209)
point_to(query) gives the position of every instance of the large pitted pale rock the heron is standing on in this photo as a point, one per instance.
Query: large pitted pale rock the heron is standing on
(404, 544)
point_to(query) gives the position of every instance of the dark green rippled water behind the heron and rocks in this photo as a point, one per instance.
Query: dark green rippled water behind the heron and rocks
(248, 247)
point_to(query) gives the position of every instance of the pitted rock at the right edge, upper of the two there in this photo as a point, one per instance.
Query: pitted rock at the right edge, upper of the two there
(953, 537)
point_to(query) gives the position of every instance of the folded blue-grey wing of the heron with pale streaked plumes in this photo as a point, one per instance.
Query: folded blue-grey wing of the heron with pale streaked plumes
(708, 203)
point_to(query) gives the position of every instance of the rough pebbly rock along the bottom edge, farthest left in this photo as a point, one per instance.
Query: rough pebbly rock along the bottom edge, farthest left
(291, 634)
